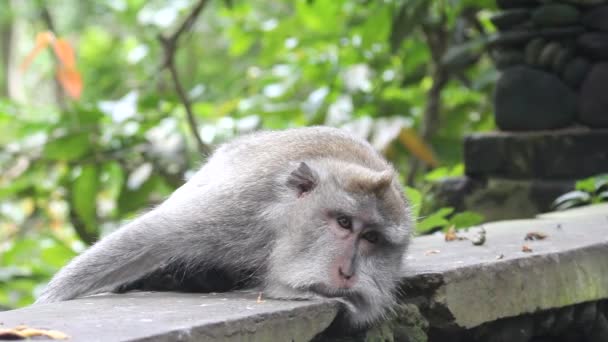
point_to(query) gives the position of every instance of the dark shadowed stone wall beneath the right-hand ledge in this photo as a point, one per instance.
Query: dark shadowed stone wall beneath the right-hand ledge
(586, 322)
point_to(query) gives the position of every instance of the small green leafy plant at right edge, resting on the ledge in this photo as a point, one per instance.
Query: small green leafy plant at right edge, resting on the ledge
(587, 191)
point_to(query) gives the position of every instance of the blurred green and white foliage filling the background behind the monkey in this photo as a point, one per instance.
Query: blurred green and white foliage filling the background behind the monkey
(74, 170)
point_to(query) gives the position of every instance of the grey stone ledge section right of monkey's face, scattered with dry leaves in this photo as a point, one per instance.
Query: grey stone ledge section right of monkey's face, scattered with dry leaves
(477, 284)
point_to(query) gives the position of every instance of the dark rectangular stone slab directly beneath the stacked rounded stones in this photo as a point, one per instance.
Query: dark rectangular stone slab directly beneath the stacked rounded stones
(564, 154)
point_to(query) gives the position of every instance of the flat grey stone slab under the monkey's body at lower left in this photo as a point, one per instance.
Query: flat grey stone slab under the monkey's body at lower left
(145, 316)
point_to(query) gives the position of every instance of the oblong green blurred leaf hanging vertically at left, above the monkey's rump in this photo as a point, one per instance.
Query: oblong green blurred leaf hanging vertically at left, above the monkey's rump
(84, 196)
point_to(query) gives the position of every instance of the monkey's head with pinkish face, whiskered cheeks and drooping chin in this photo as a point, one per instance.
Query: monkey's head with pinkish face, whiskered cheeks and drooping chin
(344, 240)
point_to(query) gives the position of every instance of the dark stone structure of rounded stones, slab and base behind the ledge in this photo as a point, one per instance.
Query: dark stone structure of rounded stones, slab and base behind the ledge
(550, 108)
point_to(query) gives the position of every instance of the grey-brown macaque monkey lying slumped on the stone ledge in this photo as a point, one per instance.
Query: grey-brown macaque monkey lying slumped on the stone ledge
(308, 212)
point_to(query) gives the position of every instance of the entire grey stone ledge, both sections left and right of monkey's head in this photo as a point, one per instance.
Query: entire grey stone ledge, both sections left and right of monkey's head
(454, 285)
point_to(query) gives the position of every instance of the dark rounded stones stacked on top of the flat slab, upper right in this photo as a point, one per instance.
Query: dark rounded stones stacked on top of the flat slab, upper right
(554, 61)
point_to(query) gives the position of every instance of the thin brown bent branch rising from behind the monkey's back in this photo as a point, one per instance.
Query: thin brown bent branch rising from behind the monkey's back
(169, 45)
